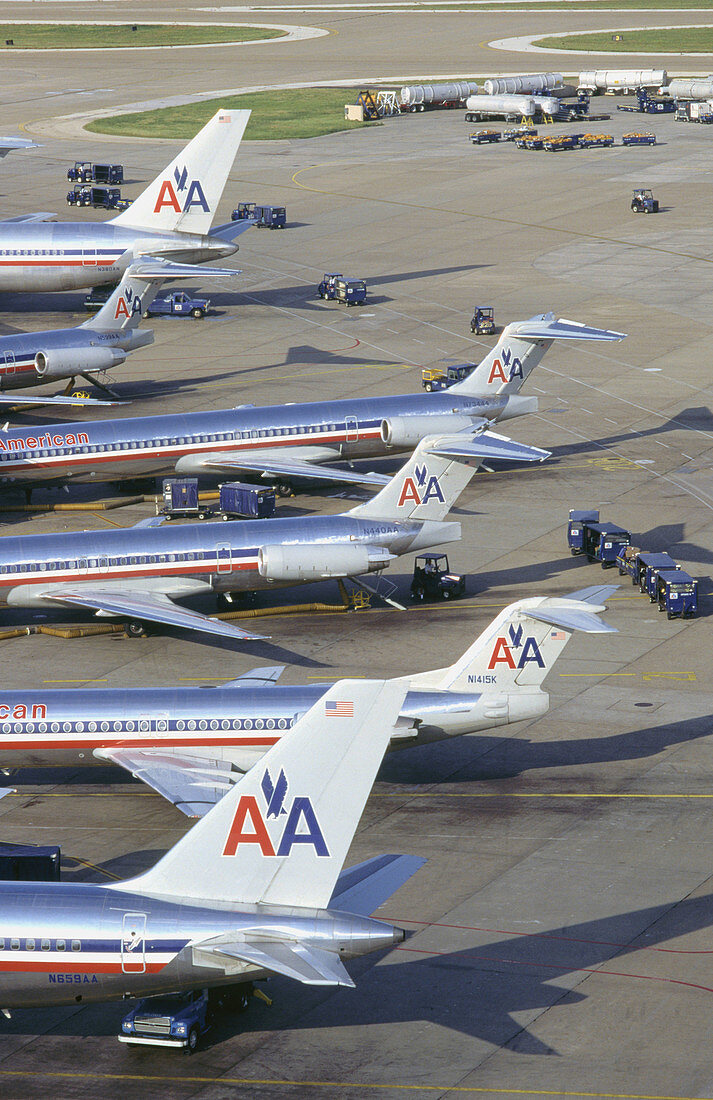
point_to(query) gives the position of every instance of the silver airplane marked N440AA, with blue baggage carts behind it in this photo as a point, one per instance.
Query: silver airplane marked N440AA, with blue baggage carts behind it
(139, 571)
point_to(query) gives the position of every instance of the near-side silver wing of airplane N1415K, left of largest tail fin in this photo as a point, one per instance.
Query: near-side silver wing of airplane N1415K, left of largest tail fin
(192, 784)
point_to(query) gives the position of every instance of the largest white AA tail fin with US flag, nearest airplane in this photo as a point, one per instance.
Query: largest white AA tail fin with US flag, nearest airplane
(282, 834)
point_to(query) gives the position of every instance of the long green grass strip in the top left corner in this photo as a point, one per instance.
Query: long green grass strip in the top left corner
(108, 36)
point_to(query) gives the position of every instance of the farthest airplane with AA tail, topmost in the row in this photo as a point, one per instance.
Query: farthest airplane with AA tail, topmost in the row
(171, 219)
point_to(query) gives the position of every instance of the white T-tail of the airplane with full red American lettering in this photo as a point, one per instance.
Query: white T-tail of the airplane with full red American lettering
(520, 349)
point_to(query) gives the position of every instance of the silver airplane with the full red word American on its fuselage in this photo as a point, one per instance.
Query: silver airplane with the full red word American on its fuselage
(292, 443)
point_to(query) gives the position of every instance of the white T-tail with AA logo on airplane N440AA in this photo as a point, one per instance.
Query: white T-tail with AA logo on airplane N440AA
(438, 471)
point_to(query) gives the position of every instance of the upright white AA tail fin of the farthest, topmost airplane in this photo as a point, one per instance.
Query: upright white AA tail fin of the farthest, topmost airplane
(187, 194)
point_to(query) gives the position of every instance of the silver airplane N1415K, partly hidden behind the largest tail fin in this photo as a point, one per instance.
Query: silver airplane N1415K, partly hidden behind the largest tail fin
(192, 745)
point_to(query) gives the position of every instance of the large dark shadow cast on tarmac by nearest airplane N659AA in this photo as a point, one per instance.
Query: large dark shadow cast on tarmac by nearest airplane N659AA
(480, 991)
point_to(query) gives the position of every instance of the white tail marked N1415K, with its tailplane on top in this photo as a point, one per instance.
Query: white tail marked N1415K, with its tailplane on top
(518, 650)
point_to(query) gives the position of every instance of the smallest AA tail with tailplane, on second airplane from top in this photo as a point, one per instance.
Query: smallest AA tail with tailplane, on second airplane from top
(138, 289)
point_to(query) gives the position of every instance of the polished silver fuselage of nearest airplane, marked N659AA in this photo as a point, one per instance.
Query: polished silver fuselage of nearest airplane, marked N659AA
(67, 943)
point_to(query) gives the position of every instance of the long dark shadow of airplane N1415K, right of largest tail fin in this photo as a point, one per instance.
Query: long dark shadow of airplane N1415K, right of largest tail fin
(491, 758)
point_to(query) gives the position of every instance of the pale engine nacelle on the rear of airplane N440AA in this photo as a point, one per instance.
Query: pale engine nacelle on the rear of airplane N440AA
(316, 562)
